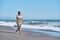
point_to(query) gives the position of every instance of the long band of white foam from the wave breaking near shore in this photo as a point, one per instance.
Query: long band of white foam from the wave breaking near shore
(46, 27)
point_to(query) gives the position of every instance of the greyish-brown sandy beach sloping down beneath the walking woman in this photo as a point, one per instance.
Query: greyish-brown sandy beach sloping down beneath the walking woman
(8, 33)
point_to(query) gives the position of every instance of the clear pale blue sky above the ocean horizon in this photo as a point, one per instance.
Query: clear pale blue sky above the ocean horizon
(30, 9)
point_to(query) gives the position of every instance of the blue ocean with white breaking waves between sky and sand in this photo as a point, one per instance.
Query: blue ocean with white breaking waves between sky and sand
(48, 27)
